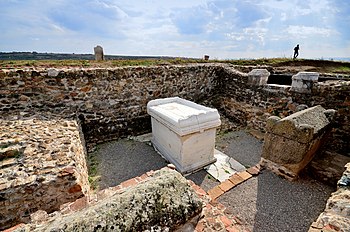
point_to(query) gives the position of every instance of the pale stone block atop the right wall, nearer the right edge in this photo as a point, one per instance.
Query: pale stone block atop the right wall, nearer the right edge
(303, 82)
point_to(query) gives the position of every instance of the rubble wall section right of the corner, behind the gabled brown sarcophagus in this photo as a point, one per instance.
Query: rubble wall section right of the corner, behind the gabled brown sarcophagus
(252, 105)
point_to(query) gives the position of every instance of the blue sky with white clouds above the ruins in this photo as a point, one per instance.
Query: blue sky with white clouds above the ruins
(222, 29)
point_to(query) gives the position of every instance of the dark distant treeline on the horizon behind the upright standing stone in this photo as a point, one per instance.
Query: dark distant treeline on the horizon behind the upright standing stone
(63, 56)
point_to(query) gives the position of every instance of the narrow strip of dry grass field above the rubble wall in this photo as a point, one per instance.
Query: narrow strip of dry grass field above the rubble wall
(319, 65)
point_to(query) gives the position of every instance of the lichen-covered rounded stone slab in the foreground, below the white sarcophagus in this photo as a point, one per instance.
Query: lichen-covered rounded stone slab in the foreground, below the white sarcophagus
(161, 203)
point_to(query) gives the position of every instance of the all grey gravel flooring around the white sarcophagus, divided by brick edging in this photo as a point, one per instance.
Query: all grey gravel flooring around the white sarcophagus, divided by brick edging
(263, 203)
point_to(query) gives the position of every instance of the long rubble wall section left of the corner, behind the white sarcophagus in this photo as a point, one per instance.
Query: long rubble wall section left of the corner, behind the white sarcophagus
(109, 102)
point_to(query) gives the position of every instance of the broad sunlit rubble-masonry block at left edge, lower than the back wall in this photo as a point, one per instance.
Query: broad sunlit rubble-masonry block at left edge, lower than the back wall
(42, 165)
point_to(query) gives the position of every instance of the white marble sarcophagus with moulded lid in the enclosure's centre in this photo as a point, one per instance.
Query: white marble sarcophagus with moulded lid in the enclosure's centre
(184, 132)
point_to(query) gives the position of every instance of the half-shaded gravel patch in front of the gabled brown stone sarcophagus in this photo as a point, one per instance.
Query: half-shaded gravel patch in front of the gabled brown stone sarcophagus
(270, 203)
